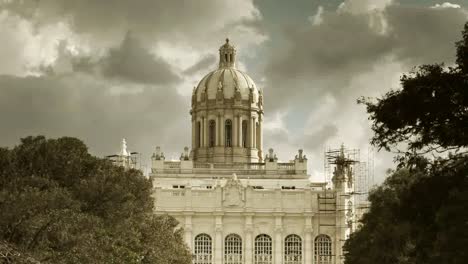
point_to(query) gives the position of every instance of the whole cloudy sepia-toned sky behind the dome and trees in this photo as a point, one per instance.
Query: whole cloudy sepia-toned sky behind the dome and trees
(102, 71)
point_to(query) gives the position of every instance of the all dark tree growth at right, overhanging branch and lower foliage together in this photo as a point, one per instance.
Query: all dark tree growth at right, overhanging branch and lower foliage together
(418, 215)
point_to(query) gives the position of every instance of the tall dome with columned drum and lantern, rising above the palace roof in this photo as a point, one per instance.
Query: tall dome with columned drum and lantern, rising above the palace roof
(227, 114)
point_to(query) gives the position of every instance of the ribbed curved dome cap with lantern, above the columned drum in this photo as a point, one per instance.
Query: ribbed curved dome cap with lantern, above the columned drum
(226, 79)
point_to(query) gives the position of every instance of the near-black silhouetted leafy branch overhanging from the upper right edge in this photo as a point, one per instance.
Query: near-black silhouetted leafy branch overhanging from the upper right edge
(429, 113)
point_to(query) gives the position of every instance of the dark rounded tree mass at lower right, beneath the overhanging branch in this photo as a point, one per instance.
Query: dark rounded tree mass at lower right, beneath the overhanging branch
(417, 215)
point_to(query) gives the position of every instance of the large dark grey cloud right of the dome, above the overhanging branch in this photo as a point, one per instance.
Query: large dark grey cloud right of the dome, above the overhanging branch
(325, 58)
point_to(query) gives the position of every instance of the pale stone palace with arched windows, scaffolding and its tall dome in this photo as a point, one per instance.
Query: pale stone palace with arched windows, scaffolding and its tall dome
(238, 204)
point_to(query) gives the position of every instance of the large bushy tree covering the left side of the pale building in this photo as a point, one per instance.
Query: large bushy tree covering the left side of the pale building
(59, 204)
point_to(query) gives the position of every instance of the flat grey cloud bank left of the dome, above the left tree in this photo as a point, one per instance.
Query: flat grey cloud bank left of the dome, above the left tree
(95, 111)
